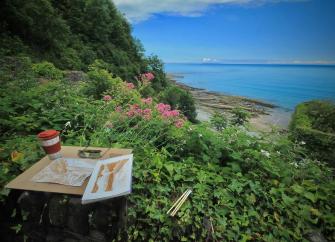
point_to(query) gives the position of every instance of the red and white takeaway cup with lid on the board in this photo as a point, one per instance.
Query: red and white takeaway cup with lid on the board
(50, 142)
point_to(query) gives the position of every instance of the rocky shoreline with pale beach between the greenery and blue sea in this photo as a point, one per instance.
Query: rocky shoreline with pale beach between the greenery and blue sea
(264, 116)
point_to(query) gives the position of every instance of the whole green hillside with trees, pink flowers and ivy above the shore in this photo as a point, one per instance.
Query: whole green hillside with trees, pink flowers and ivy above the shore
(73, 66)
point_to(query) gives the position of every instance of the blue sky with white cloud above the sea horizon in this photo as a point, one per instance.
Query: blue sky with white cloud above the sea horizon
(235, 31)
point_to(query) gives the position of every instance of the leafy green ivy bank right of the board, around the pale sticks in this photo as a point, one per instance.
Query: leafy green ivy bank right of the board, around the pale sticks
(266, 195)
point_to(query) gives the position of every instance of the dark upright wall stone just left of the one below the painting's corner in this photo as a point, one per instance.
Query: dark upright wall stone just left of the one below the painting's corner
(58, 210)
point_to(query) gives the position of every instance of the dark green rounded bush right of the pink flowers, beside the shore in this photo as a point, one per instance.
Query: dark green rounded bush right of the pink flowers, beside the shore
(180, 99)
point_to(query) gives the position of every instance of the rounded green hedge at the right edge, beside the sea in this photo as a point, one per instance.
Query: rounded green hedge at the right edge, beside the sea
(313, 124)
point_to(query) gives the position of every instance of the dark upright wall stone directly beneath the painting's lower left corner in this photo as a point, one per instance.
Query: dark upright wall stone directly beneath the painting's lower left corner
(78, 216)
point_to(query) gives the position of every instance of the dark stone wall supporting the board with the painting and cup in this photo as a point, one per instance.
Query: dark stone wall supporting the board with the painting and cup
(53, 217)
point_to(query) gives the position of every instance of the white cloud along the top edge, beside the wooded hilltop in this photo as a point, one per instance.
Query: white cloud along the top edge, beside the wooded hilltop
(140, 10)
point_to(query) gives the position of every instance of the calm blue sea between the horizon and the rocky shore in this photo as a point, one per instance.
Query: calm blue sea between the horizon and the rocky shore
(283, 85)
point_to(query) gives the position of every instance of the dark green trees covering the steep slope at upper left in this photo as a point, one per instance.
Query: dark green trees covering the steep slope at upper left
(71, 34)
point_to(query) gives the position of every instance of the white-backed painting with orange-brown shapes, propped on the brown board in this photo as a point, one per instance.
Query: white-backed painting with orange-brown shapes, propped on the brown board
(110, 178)
